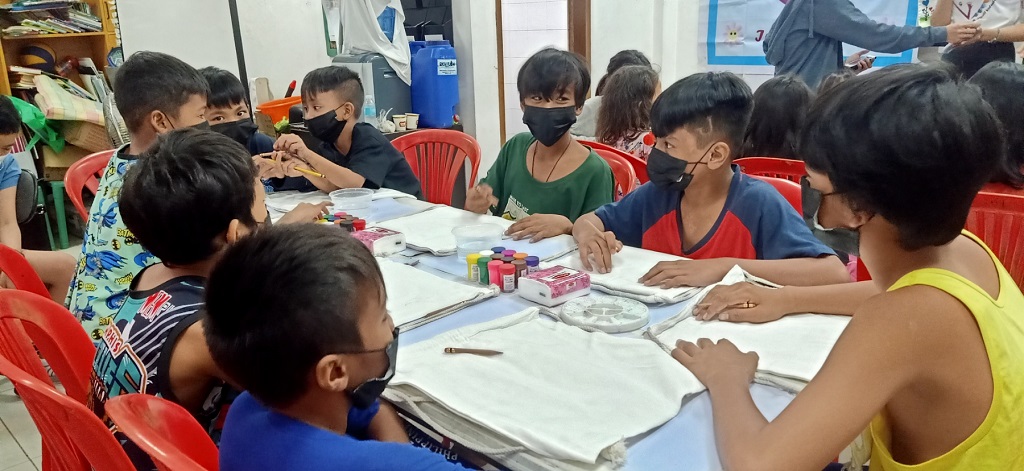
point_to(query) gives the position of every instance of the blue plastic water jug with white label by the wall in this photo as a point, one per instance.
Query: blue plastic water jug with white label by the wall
(436, 84)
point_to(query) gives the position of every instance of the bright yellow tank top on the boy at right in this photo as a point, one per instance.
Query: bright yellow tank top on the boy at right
(999, 443)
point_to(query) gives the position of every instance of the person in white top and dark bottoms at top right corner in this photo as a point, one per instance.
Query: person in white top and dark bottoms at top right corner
(1000, 27)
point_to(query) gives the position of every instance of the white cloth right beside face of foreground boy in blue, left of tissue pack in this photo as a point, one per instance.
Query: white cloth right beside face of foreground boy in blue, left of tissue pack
(415, 297)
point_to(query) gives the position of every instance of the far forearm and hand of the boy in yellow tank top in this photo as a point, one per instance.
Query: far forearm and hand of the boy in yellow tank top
(727, 303)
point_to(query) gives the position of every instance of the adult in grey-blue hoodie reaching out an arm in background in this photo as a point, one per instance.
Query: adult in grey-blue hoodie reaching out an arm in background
(807, 38)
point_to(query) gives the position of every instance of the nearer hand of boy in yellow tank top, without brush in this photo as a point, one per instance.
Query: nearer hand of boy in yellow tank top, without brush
(717, 365)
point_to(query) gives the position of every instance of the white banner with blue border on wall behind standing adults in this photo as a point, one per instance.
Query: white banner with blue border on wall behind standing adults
(733, 32)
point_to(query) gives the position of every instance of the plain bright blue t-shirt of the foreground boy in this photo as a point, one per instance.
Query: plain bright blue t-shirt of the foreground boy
(259, 439)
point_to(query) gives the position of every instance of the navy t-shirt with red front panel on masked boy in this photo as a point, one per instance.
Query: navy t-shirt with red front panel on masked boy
(757, 224)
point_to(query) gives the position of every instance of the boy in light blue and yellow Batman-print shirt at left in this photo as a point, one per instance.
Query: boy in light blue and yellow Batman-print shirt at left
(156, 94)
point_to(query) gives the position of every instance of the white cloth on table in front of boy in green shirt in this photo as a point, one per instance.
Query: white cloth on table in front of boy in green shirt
(432, 231)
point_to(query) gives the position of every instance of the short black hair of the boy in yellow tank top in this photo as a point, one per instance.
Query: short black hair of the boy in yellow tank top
(910, 144)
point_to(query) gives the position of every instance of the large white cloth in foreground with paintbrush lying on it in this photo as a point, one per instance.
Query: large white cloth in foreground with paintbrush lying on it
(557, 391)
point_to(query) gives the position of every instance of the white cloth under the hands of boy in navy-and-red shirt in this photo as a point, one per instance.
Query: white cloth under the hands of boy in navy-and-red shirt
(627, 269)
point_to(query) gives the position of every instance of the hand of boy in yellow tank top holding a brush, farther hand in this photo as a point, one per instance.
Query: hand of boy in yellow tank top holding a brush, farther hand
(743, 303)
